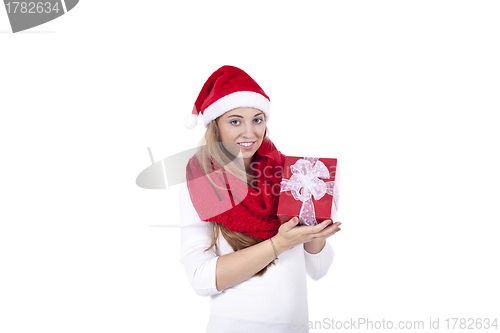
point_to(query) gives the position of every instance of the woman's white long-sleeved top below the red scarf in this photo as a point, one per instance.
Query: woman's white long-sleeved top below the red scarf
(274, 302)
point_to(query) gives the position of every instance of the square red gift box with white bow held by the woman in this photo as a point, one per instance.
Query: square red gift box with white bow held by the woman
(309, 190)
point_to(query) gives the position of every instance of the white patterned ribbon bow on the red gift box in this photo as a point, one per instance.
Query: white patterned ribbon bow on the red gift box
(306, 174)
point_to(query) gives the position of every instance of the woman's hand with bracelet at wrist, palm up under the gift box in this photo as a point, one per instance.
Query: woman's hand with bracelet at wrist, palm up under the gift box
(290, 235)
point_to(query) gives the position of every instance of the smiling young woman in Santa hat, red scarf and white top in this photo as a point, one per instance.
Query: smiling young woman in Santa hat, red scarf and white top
(231, 238)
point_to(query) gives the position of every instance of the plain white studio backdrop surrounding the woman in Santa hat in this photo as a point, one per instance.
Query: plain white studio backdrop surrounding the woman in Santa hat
(404, 93)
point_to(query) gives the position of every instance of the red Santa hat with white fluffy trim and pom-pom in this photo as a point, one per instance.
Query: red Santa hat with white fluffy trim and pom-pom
(227, 88)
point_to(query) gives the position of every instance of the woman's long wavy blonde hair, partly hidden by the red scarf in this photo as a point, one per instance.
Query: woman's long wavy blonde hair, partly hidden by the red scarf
(212, 150)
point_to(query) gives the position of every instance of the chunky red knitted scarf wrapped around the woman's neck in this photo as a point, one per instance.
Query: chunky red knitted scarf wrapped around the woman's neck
(238, 206)
